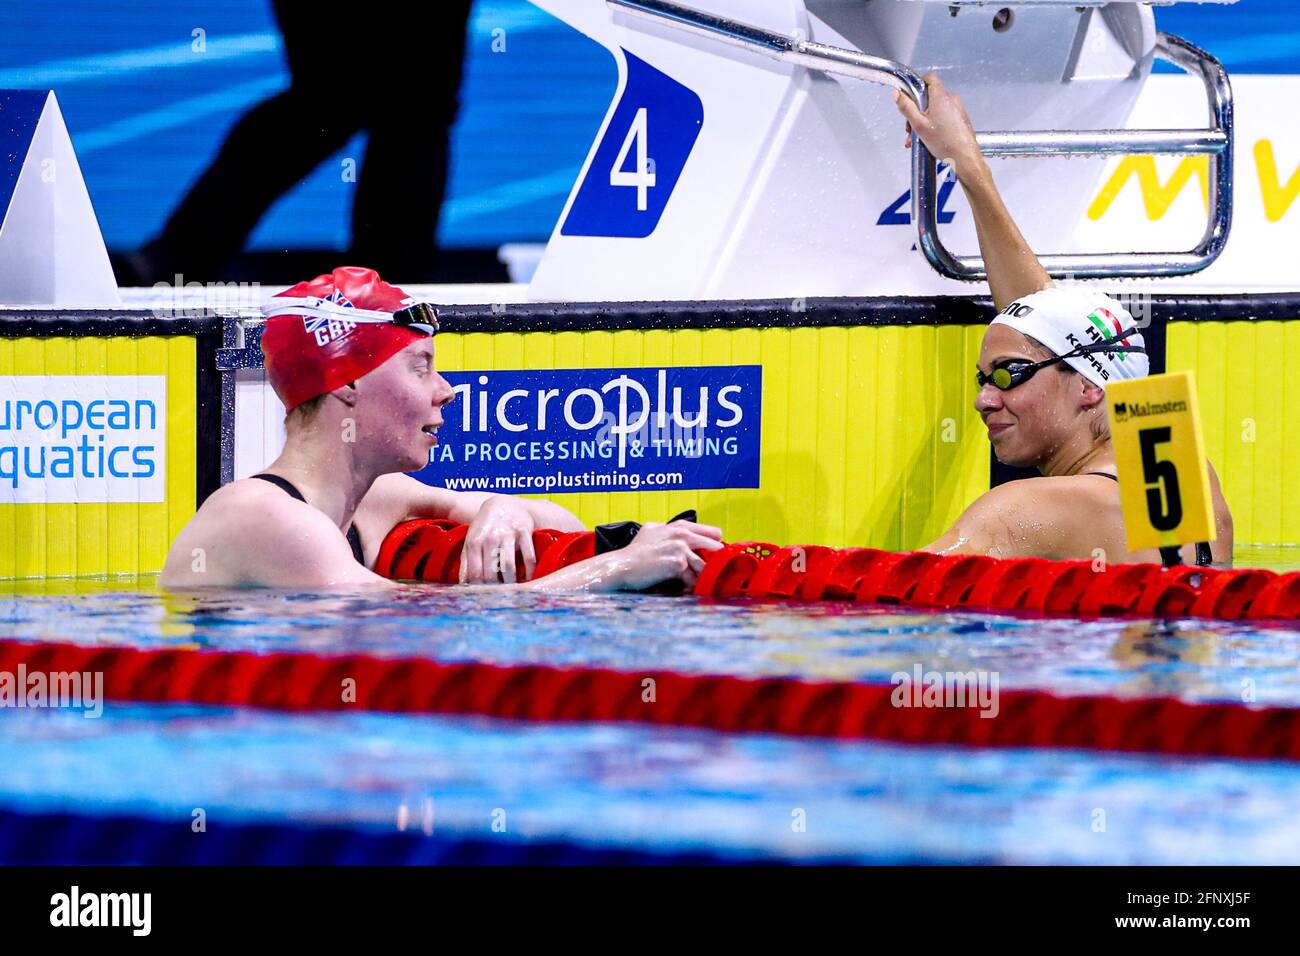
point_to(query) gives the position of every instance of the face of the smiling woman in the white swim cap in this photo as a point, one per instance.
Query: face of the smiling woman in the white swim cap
(1029, 422)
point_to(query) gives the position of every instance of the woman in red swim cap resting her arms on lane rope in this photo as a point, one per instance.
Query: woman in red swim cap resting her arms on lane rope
(352, 358)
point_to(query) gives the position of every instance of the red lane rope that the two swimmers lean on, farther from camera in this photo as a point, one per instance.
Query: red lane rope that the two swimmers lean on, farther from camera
(430, 551)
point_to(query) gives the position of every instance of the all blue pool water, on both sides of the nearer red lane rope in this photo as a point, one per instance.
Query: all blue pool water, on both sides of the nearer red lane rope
(645, 789)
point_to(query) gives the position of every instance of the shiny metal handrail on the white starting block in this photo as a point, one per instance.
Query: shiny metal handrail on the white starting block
(1215, 141)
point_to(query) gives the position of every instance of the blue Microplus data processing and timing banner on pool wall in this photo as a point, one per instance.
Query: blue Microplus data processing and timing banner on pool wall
(601, 430)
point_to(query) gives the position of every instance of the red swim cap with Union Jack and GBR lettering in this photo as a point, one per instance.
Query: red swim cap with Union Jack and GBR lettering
(309, 356)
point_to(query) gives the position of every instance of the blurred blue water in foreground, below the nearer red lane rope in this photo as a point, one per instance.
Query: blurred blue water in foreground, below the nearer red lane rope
(660, 790)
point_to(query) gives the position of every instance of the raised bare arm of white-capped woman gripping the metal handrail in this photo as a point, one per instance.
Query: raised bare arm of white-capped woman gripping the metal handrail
(947, 132)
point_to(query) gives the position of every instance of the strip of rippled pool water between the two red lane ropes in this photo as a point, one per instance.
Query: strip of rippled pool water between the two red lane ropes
(1194, 660)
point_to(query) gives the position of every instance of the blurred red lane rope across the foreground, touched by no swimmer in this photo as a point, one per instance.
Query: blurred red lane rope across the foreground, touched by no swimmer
(778, 706)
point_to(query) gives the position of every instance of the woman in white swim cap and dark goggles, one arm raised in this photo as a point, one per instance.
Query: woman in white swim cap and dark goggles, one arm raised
(1043, 371)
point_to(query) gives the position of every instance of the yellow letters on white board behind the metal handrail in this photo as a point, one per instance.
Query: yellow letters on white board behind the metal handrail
(1159, 197)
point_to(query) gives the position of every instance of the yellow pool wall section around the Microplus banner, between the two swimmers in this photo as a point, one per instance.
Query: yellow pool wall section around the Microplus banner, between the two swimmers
(869, 434)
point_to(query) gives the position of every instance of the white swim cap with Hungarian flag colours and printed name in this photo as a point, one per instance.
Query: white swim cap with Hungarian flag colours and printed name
(1065, 319)
